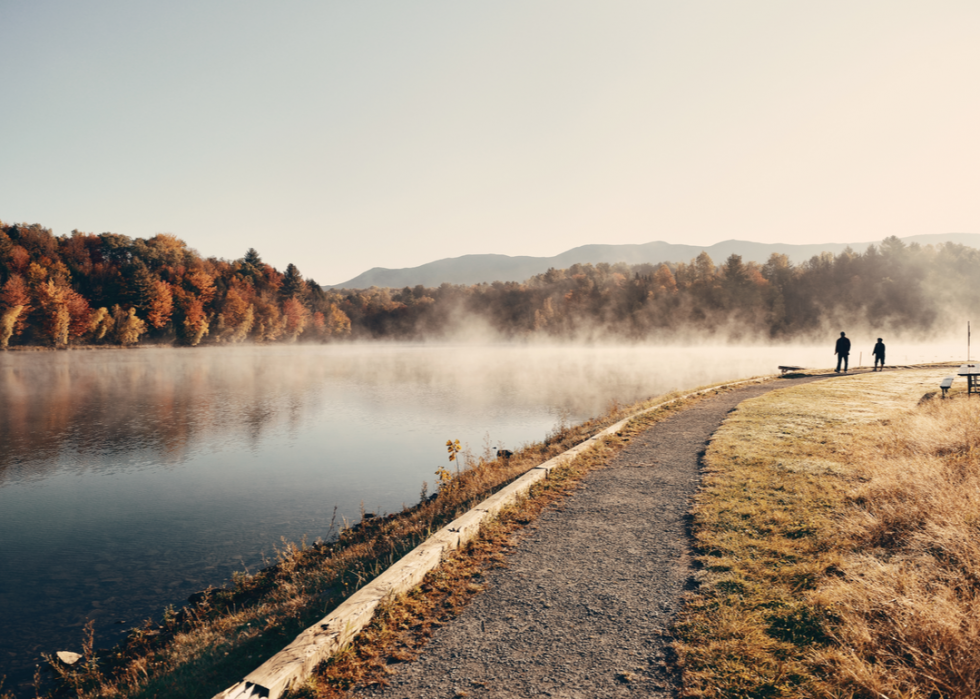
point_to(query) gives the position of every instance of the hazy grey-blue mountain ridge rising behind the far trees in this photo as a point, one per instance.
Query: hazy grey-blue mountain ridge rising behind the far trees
(476, 269)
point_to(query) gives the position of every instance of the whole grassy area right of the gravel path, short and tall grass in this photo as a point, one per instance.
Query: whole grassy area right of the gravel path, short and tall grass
(837, 528)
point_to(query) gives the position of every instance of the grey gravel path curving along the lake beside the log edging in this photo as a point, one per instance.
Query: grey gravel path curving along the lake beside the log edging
(583, 608)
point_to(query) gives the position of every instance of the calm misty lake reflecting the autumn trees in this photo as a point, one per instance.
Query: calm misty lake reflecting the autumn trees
(132, 479)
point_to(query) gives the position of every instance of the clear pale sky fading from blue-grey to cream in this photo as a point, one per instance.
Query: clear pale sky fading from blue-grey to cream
(341, 136)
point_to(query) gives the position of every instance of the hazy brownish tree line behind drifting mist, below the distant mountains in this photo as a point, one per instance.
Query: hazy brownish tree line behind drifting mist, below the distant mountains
(891, 287)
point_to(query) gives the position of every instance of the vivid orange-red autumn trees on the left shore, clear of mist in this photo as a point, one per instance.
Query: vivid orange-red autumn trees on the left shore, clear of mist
(110, 288)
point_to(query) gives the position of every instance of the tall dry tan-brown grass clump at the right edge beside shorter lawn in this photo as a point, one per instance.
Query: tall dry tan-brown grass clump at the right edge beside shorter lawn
(905, 606)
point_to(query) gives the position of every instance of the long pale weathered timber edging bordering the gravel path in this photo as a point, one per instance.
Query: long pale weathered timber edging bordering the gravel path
(296, 662)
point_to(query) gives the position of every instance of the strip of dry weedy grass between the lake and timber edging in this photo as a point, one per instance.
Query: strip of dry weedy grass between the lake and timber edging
(204, 648)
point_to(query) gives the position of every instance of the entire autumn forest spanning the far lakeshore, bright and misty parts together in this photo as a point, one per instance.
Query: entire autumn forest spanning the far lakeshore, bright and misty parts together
(110, 289)
